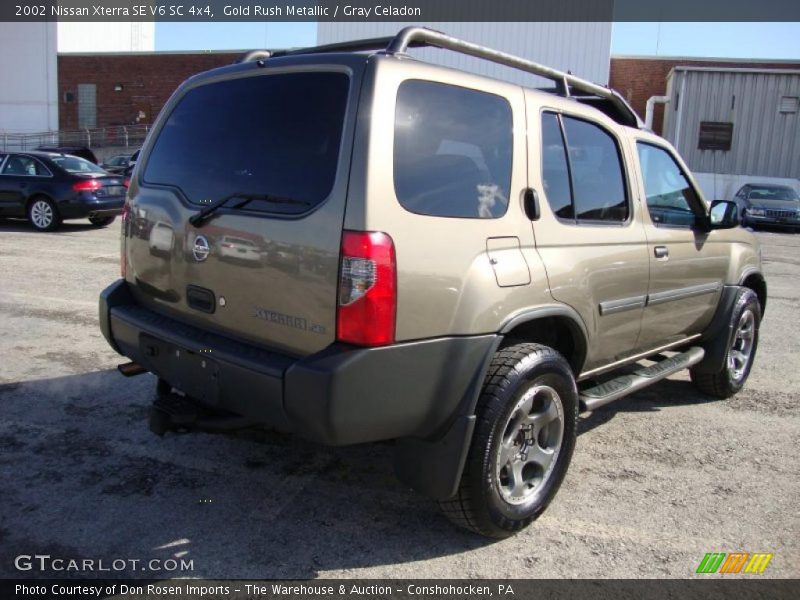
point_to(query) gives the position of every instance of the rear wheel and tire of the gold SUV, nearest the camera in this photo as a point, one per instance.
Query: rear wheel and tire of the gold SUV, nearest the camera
(523, 442)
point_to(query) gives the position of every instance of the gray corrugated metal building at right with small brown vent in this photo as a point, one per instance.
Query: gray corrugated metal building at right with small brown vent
(766, 134)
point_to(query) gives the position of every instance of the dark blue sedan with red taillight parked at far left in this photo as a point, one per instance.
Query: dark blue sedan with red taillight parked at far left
(46, 188)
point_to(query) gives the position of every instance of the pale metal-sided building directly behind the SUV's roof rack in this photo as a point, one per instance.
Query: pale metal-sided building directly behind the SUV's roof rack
(582, 48)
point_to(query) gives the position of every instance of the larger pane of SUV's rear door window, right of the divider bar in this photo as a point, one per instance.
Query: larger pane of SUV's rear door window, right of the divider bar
(598, 182)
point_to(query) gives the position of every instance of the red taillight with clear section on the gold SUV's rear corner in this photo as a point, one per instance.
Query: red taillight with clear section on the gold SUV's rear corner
(367, 289)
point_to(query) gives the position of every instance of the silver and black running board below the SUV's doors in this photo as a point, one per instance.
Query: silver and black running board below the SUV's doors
(607, 392)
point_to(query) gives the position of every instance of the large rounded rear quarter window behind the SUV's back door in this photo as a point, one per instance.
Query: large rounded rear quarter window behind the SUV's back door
(452, 151)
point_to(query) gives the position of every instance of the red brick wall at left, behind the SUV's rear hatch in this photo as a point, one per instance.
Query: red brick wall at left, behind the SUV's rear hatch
(147, 82)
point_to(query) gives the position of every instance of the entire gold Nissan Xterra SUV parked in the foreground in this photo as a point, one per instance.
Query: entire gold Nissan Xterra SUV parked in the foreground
(421, 254)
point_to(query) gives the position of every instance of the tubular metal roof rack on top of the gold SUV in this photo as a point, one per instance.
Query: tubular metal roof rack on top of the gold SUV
(414, 37)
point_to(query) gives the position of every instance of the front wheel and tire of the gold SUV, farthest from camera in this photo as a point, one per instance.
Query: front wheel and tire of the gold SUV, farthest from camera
(745, 321)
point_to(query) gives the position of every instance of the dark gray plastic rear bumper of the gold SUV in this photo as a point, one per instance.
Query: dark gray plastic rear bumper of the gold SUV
(341, 395)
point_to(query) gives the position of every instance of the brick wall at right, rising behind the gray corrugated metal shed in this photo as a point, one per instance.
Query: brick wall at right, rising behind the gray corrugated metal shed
(637, 79)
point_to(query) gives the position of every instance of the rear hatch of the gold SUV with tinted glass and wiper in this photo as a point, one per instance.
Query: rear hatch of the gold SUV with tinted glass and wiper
(276, 142)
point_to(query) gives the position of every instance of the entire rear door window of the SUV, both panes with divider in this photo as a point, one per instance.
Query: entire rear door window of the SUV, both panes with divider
(587, 183)
